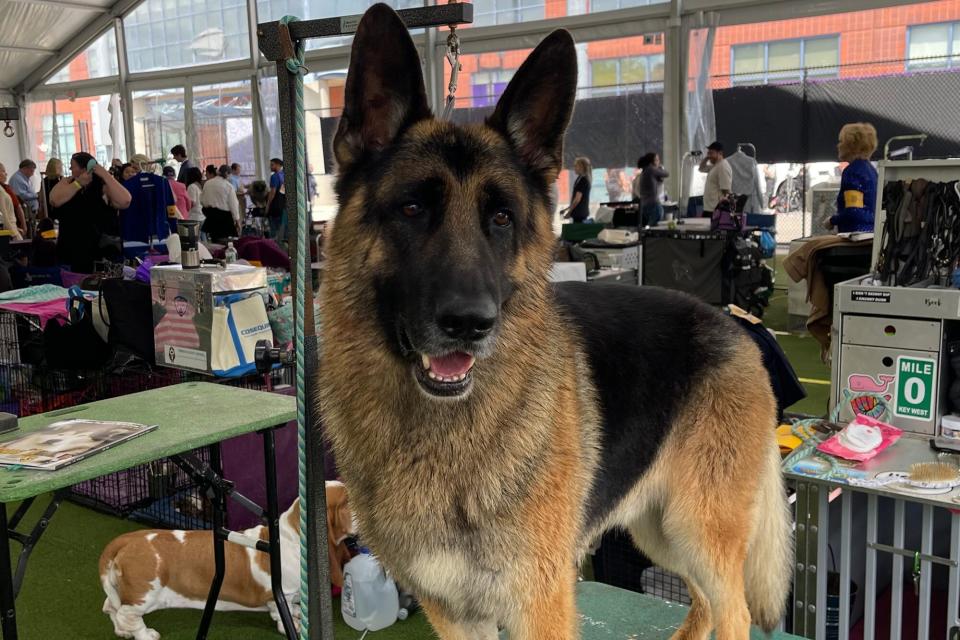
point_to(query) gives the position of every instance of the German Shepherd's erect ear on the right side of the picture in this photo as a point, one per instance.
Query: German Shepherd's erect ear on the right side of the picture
(535, 108)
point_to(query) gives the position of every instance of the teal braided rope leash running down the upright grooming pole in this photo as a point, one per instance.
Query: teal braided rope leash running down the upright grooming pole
(293, 54)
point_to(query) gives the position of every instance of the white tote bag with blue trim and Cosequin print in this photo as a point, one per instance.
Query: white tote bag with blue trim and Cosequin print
(239, 322)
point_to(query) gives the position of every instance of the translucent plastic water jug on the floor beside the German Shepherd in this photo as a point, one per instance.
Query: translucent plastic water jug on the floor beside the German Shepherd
(369, 599)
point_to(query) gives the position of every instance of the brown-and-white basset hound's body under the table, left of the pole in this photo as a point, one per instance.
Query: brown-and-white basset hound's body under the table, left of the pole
(145, 571)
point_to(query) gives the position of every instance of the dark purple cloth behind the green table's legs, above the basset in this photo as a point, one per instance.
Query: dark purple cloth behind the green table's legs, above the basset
(243, 465)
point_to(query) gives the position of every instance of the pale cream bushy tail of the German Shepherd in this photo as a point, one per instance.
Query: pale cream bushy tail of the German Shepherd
(769, 563)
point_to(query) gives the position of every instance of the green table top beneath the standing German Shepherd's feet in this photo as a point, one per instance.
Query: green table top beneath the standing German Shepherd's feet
(608, 612)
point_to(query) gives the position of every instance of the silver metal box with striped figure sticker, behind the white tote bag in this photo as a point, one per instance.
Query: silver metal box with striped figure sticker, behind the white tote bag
(183, 309)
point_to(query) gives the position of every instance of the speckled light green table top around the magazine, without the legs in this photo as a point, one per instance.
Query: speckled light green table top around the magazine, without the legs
(190, 415)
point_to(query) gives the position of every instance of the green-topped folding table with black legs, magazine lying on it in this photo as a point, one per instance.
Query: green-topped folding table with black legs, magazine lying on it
(189, 416)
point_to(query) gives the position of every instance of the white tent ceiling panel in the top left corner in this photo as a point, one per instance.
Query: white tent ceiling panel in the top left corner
(33, 32)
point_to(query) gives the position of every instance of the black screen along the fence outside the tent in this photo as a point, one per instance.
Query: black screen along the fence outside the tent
(788, 123)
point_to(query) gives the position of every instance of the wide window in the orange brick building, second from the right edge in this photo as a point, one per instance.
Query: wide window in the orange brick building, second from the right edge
(785, 60)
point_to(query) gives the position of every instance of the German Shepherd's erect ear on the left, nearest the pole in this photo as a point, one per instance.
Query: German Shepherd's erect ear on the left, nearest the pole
(384, 92)
